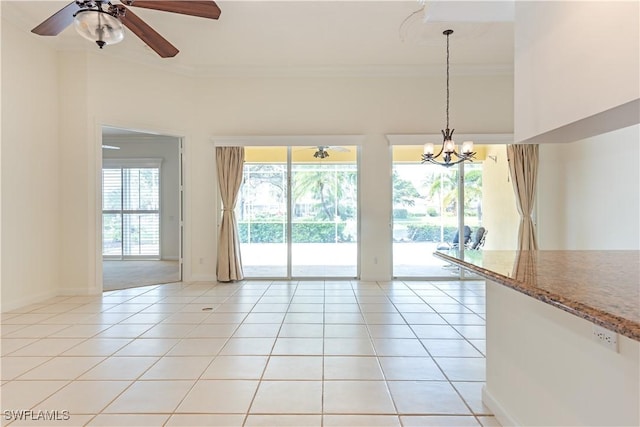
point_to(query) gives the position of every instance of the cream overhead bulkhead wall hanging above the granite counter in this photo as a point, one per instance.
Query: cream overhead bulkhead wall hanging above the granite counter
(574, 60)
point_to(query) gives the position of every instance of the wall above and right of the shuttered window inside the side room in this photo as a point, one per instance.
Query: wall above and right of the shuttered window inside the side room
(166, 149)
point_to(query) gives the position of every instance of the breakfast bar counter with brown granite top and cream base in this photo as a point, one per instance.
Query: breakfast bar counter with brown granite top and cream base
(548, 360)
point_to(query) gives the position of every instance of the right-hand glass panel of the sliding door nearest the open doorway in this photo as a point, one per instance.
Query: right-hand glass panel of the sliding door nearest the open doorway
(324, 213)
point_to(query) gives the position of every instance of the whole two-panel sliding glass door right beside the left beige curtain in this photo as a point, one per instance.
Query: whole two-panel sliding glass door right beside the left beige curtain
(297, 212)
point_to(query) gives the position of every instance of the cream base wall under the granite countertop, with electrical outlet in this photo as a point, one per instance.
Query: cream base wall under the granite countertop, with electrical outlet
(542, 357)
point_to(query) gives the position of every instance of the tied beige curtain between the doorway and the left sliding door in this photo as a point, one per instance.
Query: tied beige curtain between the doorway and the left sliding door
(230, 161)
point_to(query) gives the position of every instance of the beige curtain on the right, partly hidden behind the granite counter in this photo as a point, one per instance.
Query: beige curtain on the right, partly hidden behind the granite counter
(523, 168)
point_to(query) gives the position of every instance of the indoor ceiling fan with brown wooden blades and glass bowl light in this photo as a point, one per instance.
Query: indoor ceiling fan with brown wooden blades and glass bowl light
(102, 22)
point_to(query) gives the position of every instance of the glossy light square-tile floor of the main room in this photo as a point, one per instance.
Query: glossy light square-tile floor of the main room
(255, 353)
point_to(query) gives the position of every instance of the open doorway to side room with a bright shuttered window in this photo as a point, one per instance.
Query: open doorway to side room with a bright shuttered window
(141, 209)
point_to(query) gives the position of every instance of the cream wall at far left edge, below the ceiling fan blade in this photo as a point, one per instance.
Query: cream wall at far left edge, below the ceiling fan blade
(30, 170)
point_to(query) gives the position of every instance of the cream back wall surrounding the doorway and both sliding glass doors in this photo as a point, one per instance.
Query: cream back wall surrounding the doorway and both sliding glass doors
(99, 90)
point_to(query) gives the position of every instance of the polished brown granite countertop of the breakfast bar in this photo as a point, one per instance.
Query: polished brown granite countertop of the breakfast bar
(600, 286)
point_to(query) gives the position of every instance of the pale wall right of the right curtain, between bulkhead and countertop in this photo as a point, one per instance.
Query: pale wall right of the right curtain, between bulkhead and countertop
(589, 193)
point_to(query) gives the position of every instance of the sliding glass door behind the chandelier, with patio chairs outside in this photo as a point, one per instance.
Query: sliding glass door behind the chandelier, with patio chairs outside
(426, 210)
